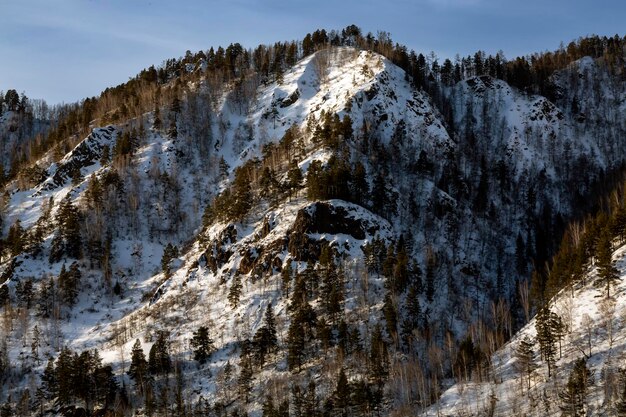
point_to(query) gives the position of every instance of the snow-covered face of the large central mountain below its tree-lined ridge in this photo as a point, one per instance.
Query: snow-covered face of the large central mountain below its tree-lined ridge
(465, 190)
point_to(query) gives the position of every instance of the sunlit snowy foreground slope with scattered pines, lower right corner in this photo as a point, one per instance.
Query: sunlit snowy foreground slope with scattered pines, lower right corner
(595, 330)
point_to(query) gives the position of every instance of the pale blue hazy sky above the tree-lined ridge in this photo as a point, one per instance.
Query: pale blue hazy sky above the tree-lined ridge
(65, 50)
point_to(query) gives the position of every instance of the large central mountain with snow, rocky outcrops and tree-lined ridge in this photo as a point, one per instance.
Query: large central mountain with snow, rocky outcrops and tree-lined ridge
(327, 227)
